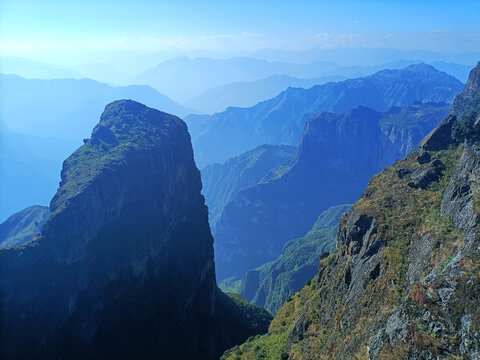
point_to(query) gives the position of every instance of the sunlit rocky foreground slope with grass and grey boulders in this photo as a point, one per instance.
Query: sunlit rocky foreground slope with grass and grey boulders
(404, 281)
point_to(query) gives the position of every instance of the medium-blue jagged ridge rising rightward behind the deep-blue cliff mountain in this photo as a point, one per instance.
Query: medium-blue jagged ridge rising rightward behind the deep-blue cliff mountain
(281, 120)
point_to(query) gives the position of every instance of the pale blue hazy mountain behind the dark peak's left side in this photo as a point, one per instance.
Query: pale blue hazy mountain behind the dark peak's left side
(43, 121)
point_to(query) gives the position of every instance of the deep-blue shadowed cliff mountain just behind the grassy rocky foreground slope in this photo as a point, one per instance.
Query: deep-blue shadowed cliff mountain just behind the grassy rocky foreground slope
(336, 156)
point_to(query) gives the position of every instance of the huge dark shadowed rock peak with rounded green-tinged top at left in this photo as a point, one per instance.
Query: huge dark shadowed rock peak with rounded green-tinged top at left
(124, 266)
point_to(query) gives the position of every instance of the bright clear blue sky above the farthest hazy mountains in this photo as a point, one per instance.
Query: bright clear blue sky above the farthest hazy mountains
(79, 30)
